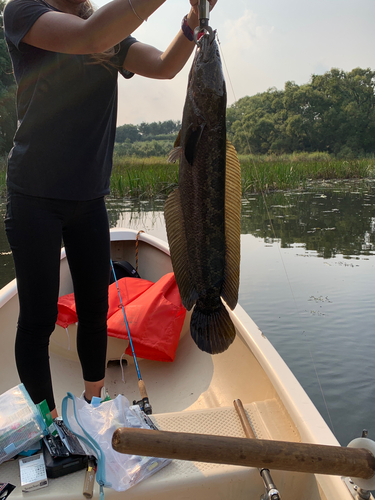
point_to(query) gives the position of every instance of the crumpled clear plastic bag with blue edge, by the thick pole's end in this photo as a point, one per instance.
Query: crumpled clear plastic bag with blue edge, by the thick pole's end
(96, 425)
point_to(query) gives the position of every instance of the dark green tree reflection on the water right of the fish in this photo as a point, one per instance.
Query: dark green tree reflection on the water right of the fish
(327, 219)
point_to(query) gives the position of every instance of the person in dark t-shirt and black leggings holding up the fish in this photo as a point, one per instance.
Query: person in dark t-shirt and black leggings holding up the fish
(66, 58)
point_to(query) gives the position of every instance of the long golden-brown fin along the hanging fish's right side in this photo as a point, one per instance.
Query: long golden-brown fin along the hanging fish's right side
(232, 227)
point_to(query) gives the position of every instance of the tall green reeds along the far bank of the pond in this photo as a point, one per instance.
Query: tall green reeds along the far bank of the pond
(154, 177)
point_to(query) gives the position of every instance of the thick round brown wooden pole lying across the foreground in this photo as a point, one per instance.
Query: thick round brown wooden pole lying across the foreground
(260, 453)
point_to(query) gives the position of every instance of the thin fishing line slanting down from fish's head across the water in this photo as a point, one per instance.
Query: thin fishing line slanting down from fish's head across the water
(274, 233)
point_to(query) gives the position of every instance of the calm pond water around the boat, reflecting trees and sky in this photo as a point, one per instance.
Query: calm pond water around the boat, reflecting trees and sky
(307, 280)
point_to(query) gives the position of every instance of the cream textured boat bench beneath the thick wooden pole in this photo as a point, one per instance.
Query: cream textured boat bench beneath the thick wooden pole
(191, 479)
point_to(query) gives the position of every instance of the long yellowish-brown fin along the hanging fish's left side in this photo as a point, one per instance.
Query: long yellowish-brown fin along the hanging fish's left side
(178, 248)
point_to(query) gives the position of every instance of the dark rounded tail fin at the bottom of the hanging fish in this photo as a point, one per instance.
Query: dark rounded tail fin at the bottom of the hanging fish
(212, 330)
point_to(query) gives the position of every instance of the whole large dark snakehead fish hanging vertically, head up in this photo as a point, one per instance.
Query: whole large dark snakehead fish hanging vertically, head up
(203, 214)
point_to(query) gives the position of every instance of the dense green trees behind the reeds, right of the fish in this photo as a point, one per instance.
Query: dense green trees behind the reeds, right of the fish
(334, 113)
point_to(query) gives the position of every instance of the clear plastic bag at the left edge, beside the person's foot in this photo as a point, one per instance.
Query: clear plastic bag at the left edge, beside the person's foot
(21, 424)
